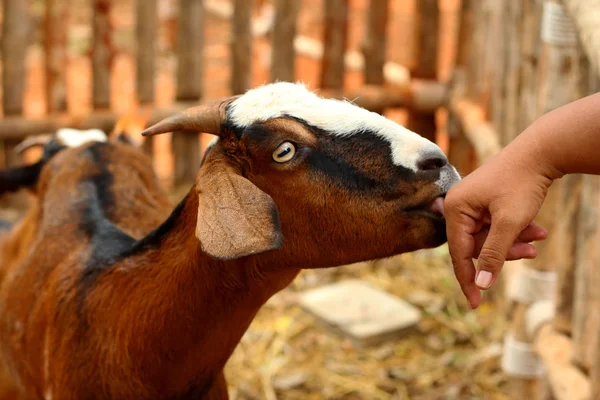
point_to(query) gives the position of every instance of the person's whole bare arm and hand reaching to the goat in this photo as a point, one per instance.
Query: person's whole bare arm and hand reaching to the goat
(489, 213)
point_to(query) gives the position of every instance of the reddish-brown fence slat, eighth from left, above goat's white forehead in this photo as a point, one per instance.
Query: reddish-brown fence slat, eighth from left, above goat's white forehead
(335, 42)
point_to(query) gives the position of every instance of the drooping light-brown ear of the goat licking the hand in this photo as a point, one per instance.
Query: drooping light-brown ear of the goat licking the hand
(235, 218)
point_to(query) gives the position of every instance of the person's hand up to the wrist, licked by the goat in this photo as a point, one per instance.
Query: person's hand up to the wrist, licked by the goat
(489, 217)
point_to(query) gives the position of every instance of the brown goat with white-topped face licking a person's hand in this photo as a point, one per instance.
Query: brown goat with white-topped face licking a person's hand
(117, 300)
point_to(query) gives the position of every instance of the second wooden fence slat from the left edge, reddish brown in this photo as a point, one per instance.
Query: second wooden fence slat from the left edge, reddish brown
(55, 52)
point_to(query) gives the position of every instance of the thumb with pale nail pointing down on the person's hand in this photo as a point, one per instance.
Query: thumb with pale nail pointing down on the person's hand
(503, 233)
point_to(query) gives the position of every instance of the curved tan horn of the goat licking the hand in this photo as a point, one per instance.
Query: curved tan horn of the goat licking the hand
(205, 118)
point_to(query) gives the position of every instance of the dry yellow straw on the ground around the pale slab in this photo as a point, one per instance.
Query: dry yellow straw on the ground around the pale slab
(288, 354)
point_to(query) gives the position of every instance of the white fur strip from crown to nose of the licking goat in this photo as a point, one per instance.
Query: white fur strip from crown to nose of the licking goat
(336, 117)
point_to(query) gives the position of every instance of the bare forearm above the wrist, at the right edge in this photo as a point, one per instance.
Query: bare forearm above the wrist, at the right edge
(563, 141)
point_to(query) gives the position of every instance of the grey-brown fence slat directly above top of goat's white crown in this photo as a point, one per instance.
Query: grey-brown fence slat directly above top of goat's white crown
(284, 32)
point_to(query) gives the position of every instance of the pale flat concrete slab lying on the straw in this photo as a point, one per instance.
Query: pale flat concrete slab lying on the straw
(364, 314)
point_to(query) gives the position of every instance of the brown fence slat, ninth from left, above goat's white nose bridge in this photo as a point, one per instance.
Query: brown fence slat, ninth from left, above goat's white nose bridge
(375, 42)
